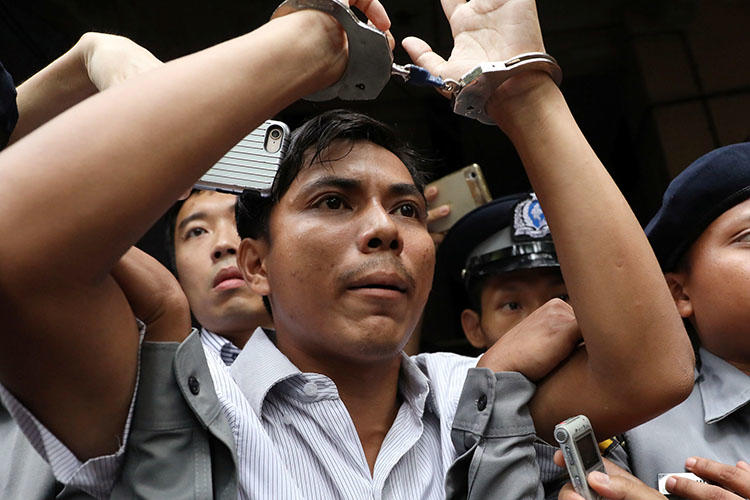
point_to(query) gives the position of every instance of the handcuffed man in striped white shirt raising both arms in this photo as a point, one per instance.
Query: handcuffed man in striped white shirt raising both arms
(341, 250)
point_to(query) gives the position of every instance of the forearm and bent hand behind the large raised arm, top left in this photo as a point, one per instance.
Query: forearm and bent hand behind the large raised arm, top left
(97, 61)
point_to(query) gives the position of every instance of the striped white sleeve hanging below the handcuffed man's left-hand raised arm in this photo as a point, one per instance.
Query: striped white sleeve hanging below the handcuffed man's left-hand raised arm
(97, 475)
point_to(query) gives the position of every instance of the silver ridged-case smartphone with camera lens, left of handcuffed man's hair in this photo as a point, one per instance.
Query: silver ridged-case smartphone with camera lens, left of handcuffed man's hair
(252, 163)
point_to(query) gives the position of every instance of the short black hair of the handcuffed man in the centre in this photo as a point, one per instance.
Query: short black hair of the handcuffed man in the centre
(311, 142)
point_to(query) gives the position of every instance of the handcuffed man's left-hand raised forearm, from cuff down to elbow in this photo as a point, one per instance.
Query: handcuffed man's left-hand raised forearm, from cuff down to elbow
(129, 152)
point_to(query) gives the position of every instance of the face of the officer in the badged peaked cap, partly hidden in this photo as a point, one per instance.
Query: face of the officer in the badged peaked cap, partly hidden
(508, 298)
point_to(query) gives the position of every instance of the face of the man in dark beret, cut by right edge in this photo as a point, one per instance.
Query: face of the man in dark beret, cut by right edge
(717, 285)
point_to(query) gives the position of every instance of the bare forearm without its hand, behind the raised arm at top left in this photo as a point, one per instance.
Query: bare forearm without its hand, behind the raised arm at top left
(57, 87)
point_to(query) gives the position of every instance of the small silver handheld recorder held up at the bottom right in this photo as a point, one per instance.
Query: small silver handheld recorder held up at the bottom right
(581, 452)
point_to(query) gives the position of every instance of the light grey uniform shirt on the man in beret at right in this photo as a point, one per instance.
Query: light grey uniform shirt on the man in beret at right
(713, 422)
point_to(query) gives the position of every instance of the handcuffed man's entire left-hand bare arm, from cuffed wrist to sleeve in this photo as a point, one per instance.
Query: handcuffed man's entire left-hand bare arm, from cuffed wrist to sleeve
(76, 193)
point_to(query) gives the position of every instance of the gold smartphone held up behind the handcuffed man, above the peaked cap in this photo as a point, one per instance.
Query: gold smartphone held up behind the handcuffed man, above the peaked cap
(463, 190)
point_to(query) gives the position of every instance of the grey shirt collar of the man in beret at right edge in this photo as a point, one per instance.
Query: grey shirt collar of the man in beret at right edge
(724, 388)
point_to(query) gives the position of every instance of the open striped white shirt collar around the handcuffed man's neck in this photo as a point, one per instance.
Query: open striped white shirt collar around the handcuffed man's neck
(261, 366)
